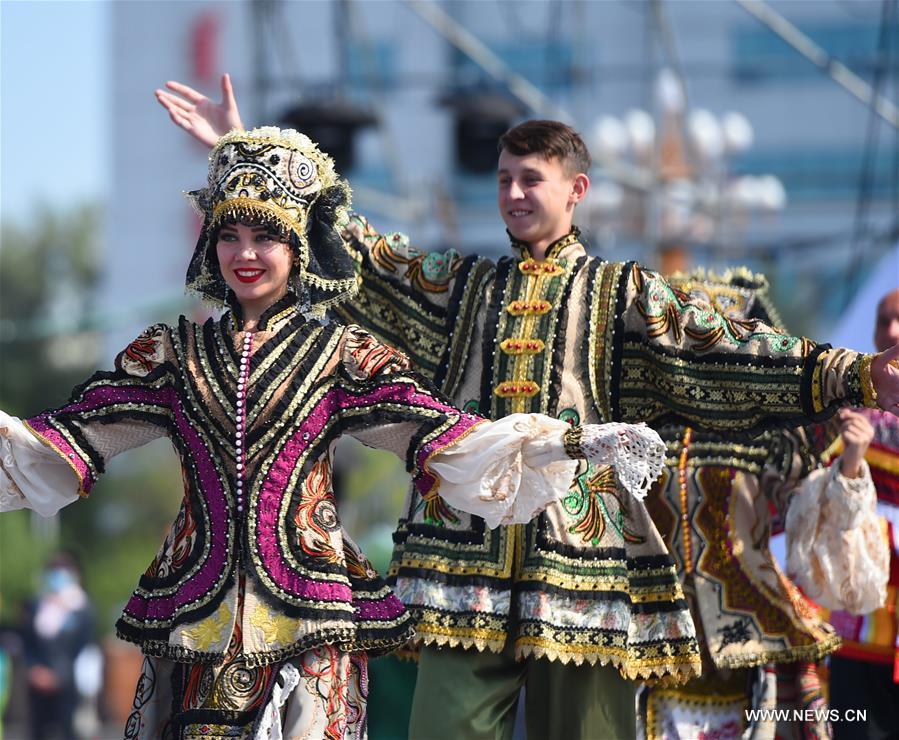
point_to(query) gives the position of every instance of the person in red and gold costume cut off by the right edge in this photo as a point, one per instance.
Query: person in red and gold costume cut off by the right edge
(864, 673)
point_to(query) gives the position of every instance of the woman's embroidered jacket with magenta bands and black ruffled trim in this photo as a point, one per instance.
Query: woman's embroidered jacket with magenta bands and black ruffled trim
(278, 571)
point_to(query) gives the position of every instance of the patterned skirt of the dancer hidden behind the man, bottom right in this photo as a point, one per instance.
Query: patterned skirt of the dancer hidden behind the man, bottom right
(738, 703)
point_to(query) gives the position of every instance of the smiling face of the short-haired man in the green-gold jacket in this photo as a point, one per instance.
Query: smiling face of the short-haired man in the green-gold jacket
(536, 197)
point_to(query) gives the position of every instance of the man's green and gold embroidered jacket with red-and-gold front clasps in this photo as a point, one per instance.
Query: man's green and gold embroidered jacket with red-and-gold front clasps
(586, 341)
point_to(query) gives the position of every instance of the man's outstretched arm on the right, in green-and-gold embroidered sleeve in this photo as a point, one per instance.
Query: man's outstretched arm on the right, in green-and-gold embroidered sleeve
(672, 359)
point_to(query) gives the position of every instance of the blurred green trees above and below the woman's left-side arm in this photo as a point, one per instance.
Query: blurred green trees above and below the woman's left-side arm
(49, 272)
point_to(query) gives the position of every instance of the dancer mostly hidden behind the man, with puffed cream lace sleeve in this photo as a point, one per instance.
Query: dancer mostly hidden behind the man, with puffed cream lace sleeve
(759, 636)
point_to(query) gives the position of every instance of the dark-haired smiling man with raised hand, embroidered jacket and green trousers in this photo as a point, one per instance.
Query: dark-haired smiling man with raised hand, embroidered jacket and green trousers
(589, 585)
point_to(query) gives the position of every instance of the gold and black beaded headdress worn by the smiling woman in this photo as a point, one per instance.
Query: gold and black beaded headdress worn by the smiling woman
(278, 178)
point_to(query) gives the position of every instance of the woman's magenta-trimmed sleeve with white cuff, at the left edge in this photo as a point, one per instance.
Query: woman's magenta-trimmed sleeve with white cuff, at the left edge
(53, 458)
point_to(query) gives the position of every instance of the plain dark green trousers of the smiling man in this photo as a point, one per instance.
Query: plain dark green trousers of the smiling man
(469, 695)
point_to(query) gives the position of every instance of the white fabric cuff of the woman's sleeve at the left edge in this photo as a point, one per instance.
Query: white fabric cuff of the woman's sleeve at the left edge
(32, 476)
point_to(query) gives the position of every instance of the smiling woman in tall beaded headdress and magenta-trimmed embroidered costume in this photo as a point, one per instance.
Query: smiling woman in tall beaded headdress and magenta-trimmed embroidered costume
(258, 612)
